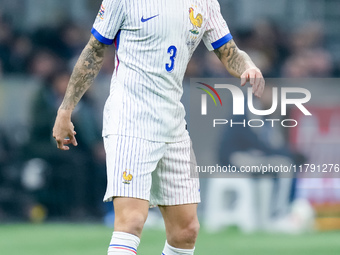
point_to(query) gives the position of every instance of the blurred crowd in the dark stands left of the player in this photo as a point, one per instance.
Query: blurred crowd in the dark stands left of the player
(41, 52)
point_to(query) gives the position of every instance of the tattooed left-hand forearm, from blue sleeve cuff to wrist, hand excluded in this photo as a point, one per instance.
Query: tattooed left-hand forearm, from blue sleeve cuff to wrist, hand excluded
(84, 72)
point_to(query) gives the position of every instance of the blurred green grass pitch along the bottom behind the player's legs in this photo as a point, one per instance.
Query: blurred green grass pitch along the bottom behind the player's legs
(77, 239)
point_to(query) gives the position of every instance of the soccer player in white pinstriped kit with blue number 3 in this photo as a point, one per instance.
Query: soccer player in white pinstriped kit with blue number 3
(145, 137)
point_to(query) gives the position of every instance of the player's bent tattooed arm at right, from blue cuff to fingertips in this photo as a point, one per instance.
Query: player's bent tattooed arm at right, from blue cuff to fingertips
(239, 64)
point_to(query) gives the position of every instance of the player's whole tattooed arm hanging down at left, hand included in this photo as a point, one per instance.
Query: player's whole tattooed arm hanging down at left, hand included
(83, 75)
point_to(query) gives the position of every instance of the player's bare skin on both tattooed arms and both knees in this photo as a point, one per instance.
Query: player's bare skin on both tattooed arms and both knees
(130, 213)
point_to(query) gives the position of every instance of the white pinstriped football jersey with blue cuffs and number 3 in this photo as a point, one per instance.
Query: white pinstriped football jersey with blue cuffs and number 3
(154, 41)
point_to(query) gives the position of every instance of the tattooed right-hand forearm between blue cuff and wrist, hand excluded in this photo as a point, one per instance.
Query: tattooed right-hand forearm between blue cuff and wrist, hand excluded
(235, 60)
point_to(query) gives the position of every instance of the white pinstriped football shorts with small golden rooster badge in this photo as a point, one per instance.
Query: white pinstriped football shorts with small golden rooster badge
(158, 172)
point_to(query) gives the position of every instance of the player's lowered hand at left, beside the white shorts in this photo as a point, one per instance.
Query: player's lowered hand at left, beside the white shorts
(63, 130)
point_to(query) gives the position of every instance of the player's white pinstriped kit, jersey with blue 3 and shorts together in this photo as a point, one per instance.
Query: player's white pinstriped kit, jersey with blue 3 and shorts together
(147, 144)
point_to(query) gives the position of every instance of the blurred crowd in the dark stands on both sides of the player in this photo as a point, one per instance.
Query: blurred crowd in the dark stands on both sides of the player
(278, 52)
